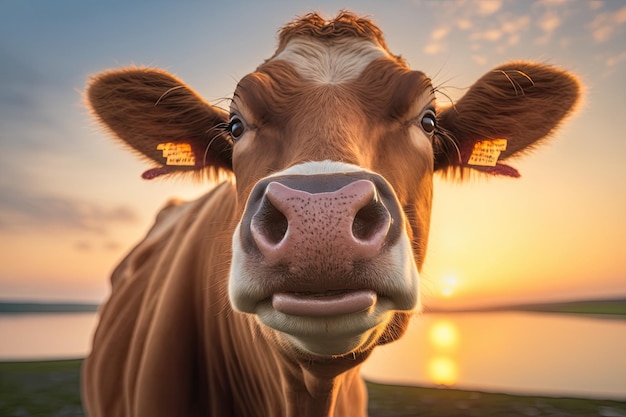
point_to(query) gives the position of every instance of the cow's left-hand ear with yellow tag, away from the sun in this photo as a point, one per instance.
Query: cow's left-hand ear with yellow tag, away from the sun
(162, 119)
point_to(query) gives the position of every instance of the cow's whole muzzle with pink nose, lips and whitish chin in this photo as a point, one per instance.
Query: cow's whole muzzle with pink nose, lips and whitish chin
(311, 247)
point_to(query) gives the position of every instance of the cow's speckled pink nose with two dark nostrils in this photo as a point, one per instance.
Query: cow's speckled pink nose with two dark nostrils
(303, 229)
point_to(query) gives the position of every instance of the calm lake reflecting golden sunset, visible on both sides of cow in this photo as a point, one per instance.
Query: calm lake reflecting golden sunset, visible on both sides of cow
(513, 352)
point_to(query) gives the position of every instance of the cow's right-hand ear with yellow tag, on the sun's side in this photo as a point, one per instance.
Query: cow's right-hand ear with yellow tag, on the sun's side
(505, 113)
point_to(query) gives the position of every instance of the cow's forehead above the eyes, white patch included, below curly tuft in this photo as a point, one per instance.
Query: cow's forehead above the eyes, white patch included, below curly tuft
(308, 75)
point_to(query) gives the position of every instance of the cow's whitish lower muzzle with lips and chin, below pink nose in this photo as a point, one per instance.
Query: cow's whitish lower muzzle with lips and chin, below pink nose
(331, 322)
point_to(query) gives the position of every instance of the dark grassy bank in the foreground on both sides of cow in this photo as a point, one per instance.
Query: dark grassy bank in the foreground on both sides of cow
(51, 388)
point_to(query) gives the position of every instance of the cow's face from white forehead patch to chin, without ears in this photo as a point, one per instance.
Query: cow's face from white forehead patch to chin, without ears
(333, 154)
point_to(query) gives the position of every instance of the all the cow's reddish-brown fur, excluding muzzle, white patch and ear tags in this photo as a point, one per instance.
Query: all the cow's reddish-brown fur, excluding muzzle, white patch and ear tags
(168, 342)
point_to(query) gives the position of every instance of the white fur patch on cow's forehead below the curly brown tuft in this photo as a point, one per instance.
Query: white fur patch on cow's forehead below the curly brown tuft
(333, 62)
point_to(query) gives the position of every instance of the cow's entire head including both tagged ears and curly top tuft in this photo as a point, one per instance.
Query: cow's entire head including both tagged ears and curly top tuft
(333, 143)
